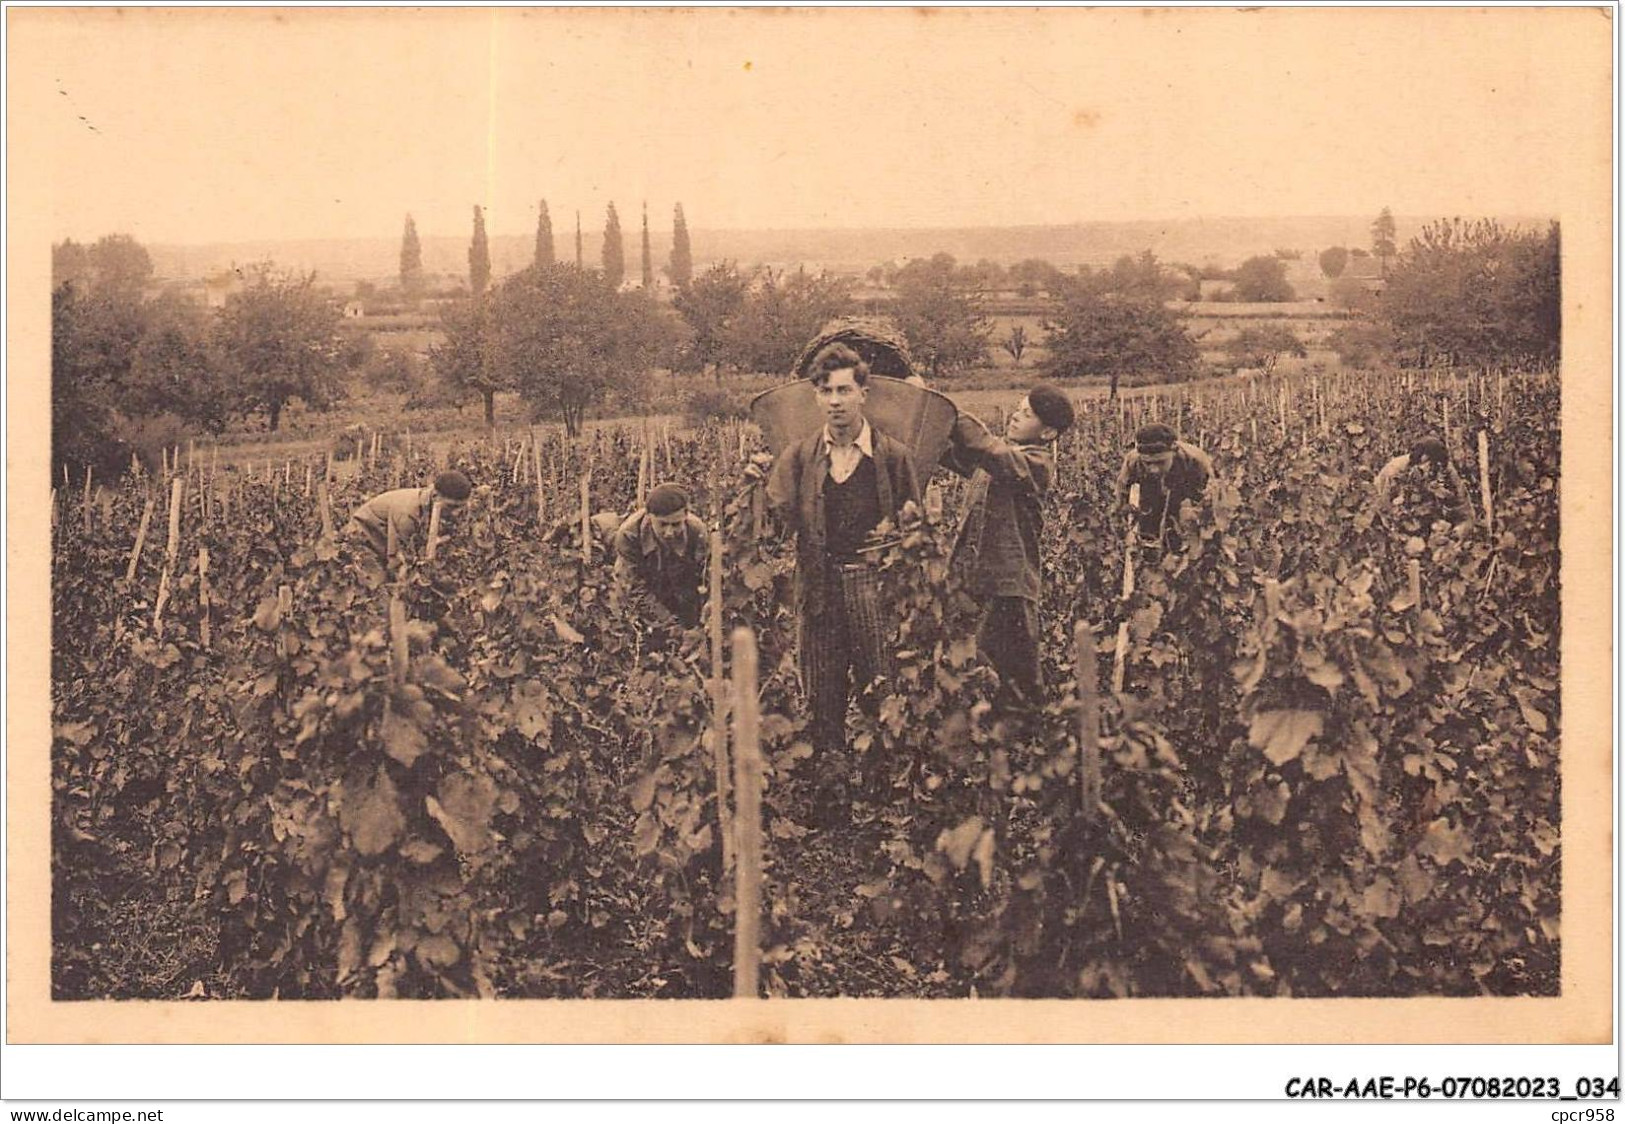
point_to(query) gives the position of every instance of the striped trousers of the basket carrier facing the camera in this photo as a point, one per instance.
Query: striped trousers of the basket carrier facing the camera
(843, 652)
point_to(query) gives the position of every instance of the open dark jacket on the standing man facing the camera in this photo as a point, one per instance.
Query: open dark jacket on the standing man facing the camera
(795, 490)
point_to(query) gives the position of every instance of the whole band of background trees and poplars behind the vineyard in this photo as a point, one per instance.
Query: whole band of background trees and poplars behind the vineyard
(132, 370)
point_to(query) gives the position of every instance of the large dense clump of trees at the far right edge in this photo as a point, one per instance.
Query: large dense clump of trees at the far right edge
(1473, 293)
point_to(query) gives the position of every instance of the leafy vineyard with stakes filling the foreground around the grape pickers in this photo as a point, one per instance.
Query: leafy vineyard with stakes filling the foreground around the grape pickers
(1314, 753)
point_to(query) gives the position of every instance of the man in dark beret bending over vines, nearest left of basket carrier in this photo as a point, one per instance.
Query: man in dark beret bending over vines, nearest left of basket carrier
(661, 555)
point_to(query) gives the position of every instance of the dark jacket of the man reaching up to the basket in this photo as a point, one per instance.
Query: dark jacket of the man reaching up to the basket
(999, 538)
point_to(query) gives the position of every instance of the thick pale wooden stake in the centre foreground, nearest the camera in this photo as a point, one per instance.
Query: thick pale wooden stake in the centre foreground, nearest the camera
(748, 790)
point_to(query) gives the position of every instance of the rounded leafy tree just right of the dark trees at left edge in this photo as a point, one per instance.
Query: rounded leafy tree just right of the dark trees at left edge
(280, 340)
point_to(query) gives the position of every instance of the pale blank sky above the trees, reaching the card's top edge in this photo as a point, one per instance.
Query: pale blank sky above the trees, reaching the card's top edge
(202, 126)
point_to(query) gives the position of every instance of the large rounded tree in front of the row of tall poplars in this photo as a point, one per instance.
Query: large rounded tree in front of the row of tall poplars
(566, 340)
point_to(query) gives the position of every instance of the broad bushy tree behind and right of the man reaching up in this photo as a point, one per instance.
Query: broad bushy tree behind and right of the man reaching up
(1099, 334)
